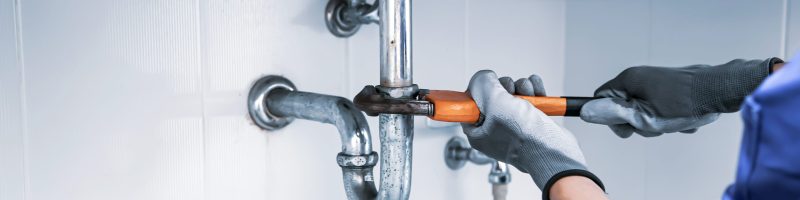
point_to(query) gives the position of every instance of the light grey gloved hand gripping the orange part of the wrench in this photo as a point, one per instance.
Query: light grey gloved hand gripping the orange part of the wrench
(515, 132)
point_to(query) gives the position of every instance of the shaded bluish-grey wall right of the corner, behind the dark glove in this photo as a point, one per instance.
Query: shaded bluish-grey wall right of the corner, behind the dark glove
(605, 37)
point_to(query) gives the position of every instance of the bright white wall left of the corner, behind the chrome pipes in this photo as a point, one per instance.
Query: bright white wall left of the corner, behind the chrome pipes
(145, 99)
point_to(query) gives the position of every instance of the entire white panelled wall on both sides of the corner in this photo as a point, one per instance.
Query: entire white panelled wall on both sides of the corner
(145, 99)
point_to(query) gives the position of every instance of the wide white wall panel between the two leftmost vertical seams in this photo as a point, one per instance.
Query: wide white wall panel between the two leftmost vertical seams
(115, 102)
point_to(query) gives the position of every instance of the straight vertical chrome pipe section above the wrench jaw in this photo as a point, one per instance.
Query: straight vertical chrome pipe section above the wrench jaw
(395, 34)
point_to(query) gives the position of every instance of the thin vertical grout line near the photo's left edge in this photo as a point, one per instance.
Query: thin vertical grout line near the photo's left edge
(23, 96)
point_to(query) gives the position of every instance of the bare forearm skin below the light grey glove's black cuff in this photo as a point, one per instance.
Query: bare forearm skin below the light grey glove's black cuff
(576, 187)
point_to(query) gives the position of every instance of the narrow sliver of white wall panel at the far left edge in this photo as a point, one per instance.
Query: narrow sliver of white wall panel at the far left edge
(12, 179)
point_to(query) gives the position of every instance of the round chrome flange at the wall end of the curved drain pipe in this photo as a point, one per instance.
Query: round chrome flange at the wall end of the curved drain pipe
(257, 104)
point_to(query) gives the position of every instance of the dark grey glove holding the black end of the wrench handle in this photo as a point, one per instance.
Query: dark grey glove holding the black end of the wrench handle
(655, 100)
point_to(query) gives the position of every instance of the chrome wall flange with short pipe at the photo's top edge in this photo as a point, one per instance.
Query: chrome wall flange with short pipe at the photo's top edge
(345, 17)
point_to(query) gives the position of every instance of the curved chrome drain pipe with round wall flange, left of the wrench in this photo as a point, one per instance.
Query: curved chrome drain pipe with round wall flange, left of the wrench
(274, 102)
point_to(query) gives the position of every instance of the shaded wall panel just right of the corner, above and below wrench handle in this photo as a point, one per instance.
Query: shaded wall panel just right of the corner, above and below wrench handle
(603, 38)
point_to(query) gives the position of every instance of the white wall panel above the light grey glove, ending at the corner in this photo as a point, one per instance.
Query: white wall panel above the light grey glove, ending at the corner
(517, 38)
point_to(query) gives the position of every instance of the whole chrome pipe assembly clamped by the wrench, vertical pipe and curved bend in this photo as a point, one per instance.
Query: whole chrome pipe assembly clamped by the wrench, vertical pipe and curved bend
(396, 131)
